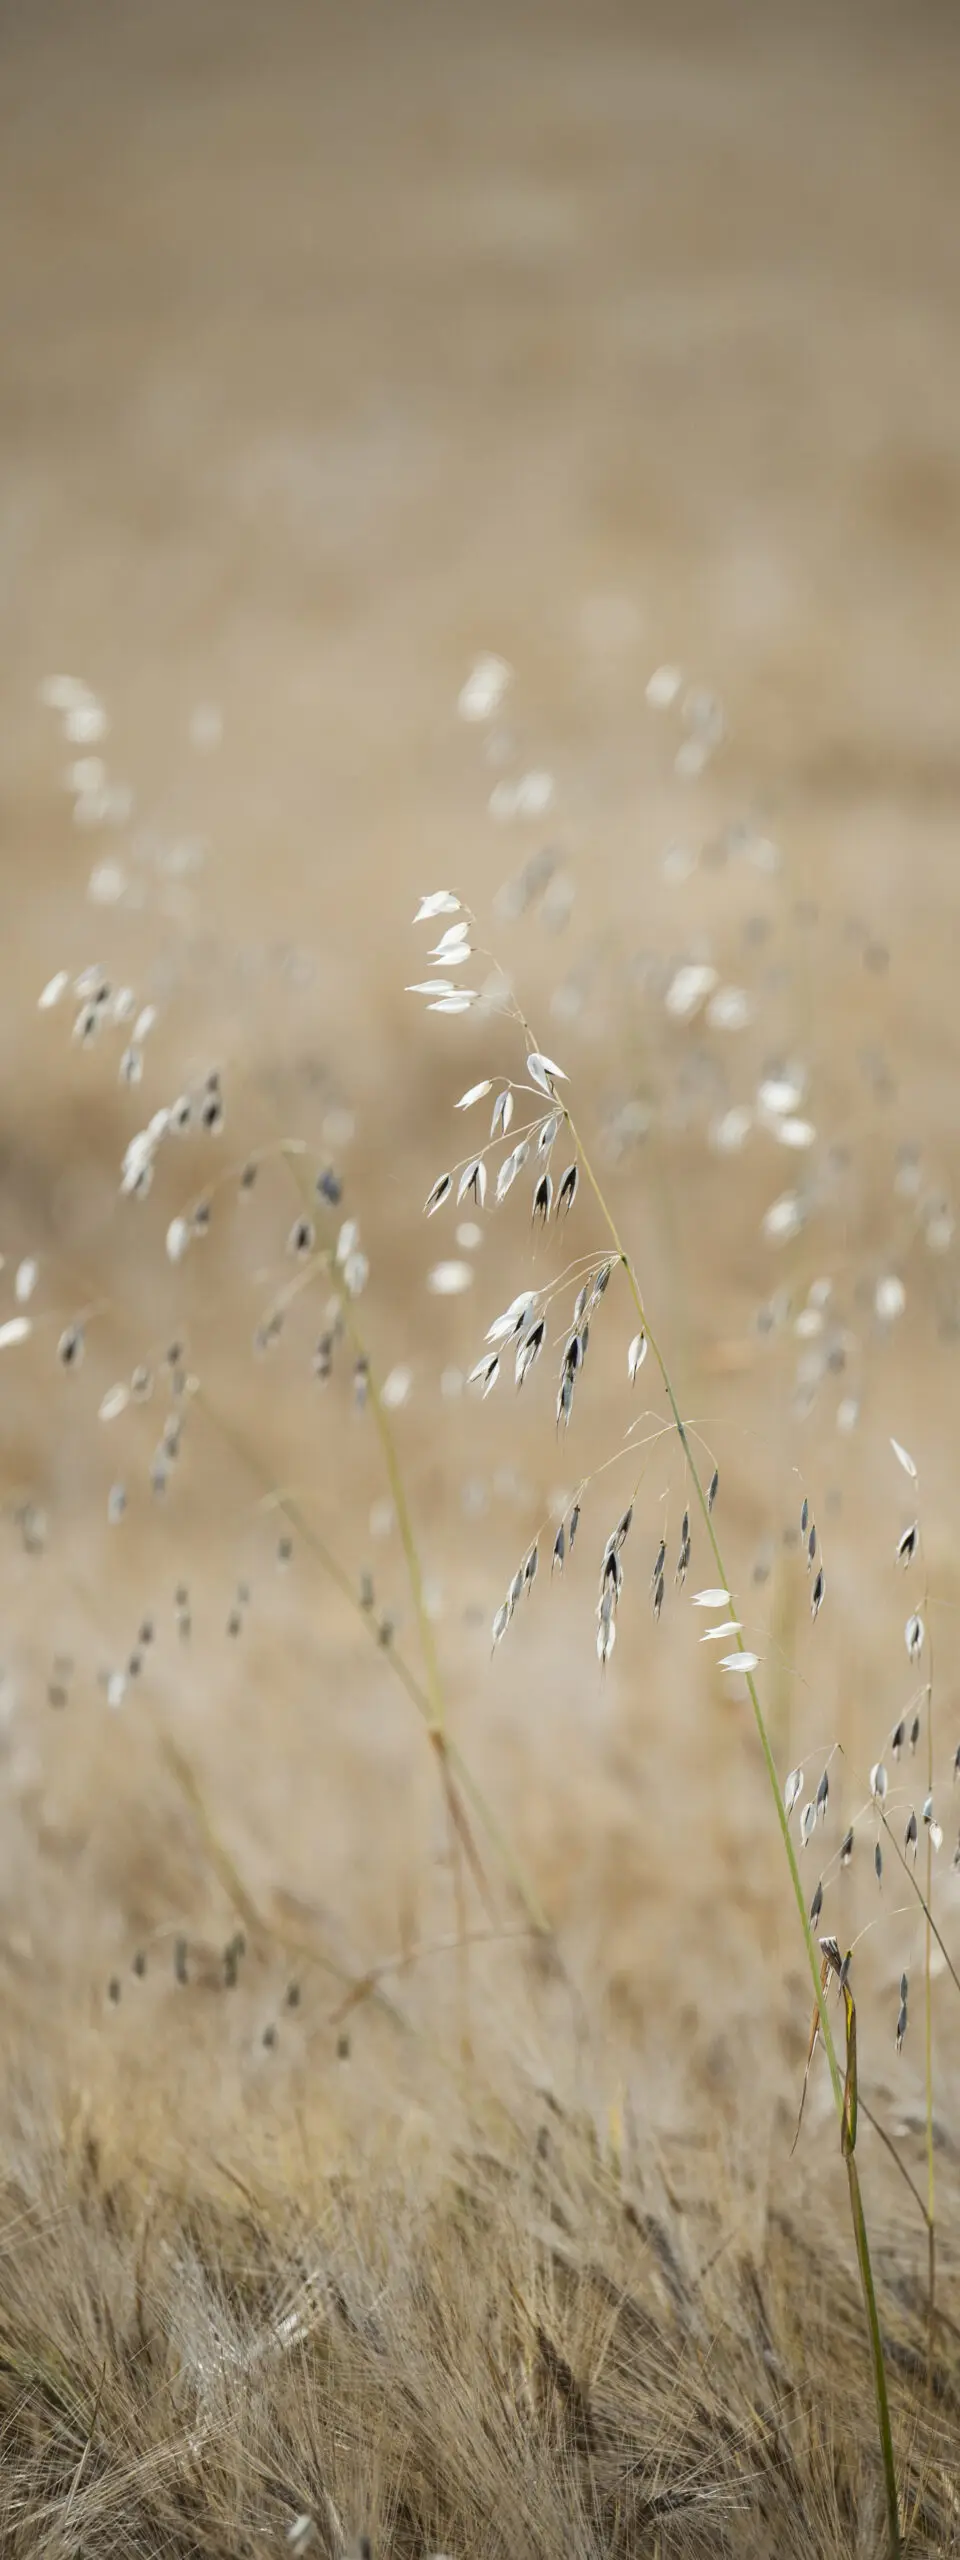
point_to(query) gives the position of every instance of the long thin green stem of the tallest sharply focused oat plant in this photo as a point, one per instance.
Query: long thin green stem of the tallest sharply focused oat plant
(813, 1955)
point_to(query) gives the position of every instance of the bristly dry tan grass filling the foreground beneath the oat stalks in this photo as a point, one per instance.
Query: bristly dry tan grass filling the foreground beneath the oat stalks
(503, 2341)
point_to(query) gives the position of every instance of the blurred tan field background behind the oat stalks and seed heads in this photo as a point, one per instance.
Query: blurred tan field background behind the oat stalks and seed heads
(337, 349)
